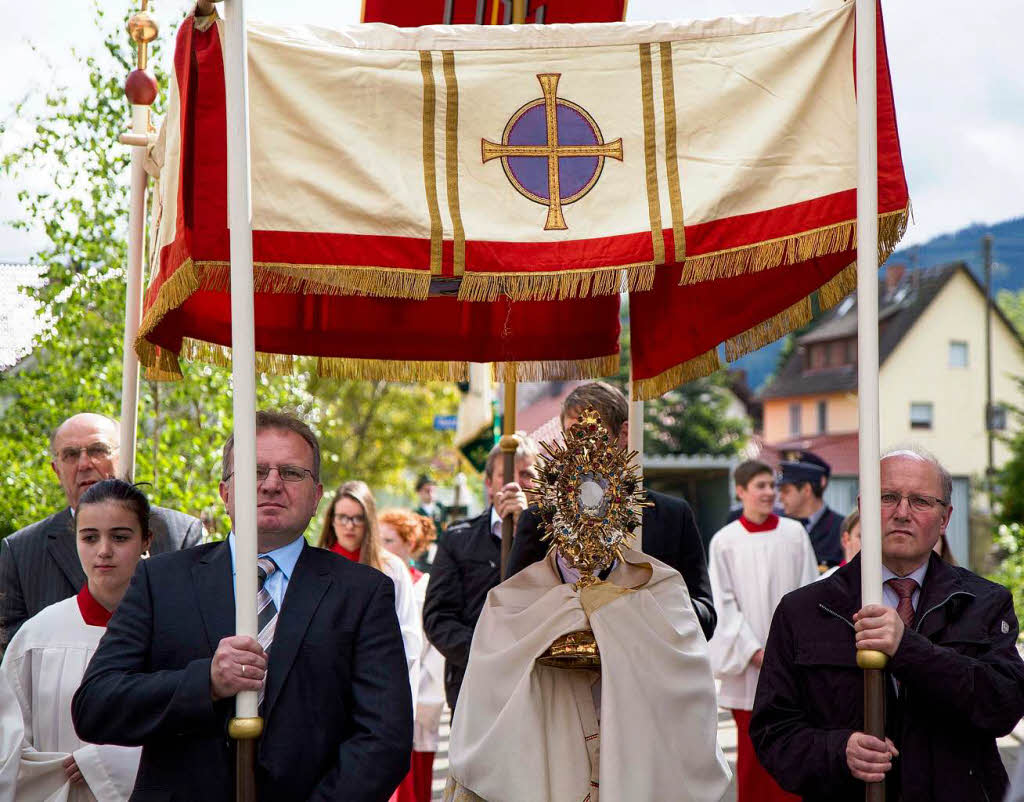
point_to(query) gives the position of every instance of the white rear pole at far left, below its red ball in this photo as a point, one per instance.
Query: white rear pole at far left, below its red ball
(134, 296)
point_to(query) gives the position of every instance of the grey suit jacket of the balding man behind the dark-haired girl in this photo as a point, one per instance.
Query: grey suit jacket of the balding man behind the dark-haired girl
(39, 565)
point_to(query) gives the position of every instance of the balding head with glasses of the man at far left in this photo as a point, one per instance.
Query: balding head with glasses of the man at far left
(86, 451)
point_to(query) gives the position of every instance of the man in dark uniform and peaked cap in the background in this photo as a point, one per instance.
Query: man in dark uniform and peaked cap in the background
(803, 477)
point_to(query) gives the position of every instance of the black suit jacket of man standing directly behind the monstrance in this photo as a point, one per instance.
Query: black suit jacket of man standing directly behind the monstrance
(670, 534)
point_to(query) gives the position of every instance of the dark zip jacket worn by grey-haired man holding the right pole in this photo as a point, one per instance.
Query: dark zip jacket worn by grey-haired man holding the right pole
(962, 686)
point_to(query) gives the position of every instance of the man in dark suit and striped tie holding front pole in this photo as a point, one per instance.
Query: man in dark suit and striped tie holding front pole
(337, 705)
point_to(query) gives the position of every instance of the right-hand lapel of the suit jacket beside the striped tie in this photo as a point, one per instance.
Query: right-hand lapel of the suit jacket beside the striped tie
(307, 587)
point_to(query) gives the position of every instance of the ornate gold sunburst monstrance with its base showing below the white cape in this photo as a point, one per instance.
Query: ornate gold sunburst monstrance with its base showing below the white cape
(591, 500)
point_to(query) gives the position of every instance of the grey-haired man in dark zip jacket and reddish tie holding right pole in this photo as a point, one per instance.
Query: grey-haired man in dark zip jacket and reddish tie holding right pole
(955, 680)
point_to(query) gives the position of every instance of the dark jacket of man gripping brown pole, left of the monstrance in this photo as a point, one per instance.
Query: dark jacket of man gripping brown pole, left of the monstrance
(466, 568)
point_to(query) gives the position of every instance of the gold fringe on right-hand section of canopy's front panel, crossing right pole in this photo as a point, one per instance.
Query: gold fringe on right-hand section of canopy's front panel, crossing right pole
(790, 250)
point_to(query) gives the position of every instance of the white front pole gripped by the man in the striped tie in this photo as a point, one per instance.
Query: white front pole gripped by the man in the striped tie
(243, 336)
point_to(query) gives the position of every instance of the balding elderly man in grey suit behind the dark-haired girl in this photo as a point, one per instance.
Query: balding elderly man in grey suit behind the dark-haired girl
(39, 565)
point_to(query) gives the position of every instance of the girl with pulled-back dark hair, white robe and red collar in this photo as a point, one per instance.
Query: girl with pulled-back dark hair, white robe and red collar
(47, 659)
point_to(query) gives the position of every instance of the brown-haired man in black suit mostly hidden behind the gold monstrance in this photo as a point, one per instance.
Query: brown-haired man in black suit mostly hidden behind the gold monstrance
(670, 531)
